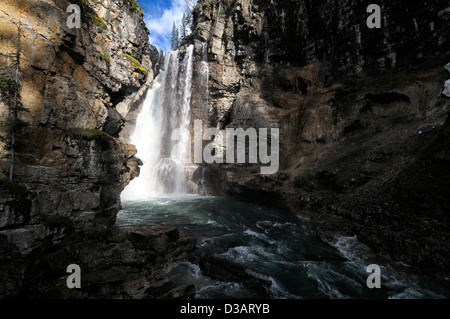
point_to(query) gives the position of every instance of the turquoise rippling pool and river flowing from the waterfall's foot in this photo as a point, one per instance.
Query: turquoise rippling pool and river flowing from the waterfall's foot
(274, 245)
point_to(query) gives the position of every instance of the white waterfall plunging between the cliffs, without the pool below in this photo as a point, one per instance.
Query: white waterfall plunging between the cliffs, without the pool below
(165, 115)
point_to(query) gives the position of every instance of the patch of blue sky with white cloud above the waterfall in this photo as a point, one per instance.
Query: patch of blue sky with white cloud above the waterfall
(159, 17)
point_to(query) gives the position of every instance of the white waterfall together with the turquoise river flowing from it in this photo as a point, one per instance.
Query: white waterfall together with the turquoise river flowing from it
(272, 244)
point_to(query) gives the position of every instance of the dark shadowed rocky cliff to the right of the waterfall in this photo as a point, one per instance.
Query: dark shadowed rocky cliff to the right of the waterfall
(364, 126)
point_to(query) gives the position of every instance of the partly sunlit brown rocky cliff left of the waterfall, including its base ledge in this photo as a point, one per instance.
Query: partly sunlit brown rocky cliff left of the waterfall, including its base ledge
(67, 92)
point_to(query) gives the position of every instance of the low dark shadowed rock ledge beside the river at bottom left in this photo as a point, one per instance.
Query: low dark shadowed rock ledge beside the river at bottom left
(126, 264)
